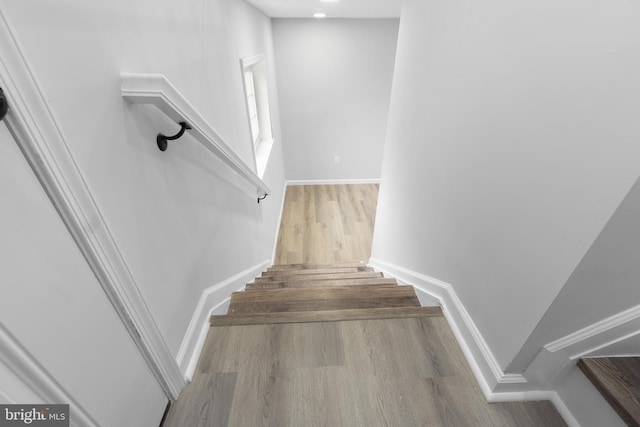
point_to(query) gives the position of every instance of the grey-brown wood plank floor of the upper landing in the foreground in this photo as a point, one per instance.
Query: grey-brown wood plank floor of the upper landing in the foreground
(393, 372)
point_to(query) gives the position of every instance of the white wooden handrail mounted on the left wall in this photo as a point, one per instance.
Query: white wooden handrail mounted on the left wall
(156, 90)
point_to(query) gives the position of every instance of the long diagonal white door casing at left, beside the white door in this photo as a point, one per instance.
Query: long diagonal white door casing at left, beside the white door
(33, 124)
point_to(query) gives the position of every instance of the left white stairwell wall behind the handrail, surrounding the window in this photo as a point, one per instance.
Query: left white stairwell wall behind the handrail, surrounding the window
(182, 220)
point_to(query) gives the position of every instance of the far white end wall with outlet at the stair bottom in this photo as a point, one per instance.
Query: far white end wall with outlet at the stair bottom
(335, 81)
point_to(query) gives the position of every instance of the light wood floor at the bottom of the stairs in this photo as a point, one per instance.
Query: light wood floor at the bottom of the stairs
(325, 224)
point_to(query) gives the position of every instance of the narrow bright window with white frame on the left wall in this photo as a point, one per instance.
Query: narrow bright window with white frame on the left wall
(259, 118)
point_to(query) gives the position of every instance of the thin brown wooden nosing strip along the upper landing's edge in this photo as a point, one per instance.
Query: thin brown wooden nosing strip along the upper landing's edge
(325, 316)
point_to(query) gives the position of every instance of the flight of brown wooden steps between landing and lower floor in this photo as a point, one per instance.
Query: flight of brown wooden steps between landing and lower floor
(301, 293)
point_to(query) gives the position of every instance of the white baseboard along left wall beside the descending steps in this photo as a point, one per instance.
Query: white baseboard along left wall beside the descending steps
(213, 300)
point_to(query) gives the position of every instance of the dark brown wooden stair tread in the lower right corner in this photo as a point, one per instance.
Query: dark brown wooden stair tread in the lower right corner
(618, 380)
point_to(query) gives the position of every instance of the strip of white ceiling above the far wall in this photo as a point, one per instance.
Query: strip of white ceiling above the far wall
(334, 9)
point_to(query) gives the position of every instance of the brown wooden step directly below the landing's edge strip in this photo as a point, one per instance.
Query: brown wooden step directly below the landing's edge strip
(321, 299)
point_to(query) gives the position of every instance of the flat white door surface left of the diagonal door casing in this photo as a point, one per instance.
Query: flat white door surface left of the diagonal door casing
(55, 308)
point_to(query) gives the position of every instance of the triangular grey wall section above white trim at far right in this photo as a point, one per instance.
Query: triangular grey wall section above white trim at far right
(604, 283)
